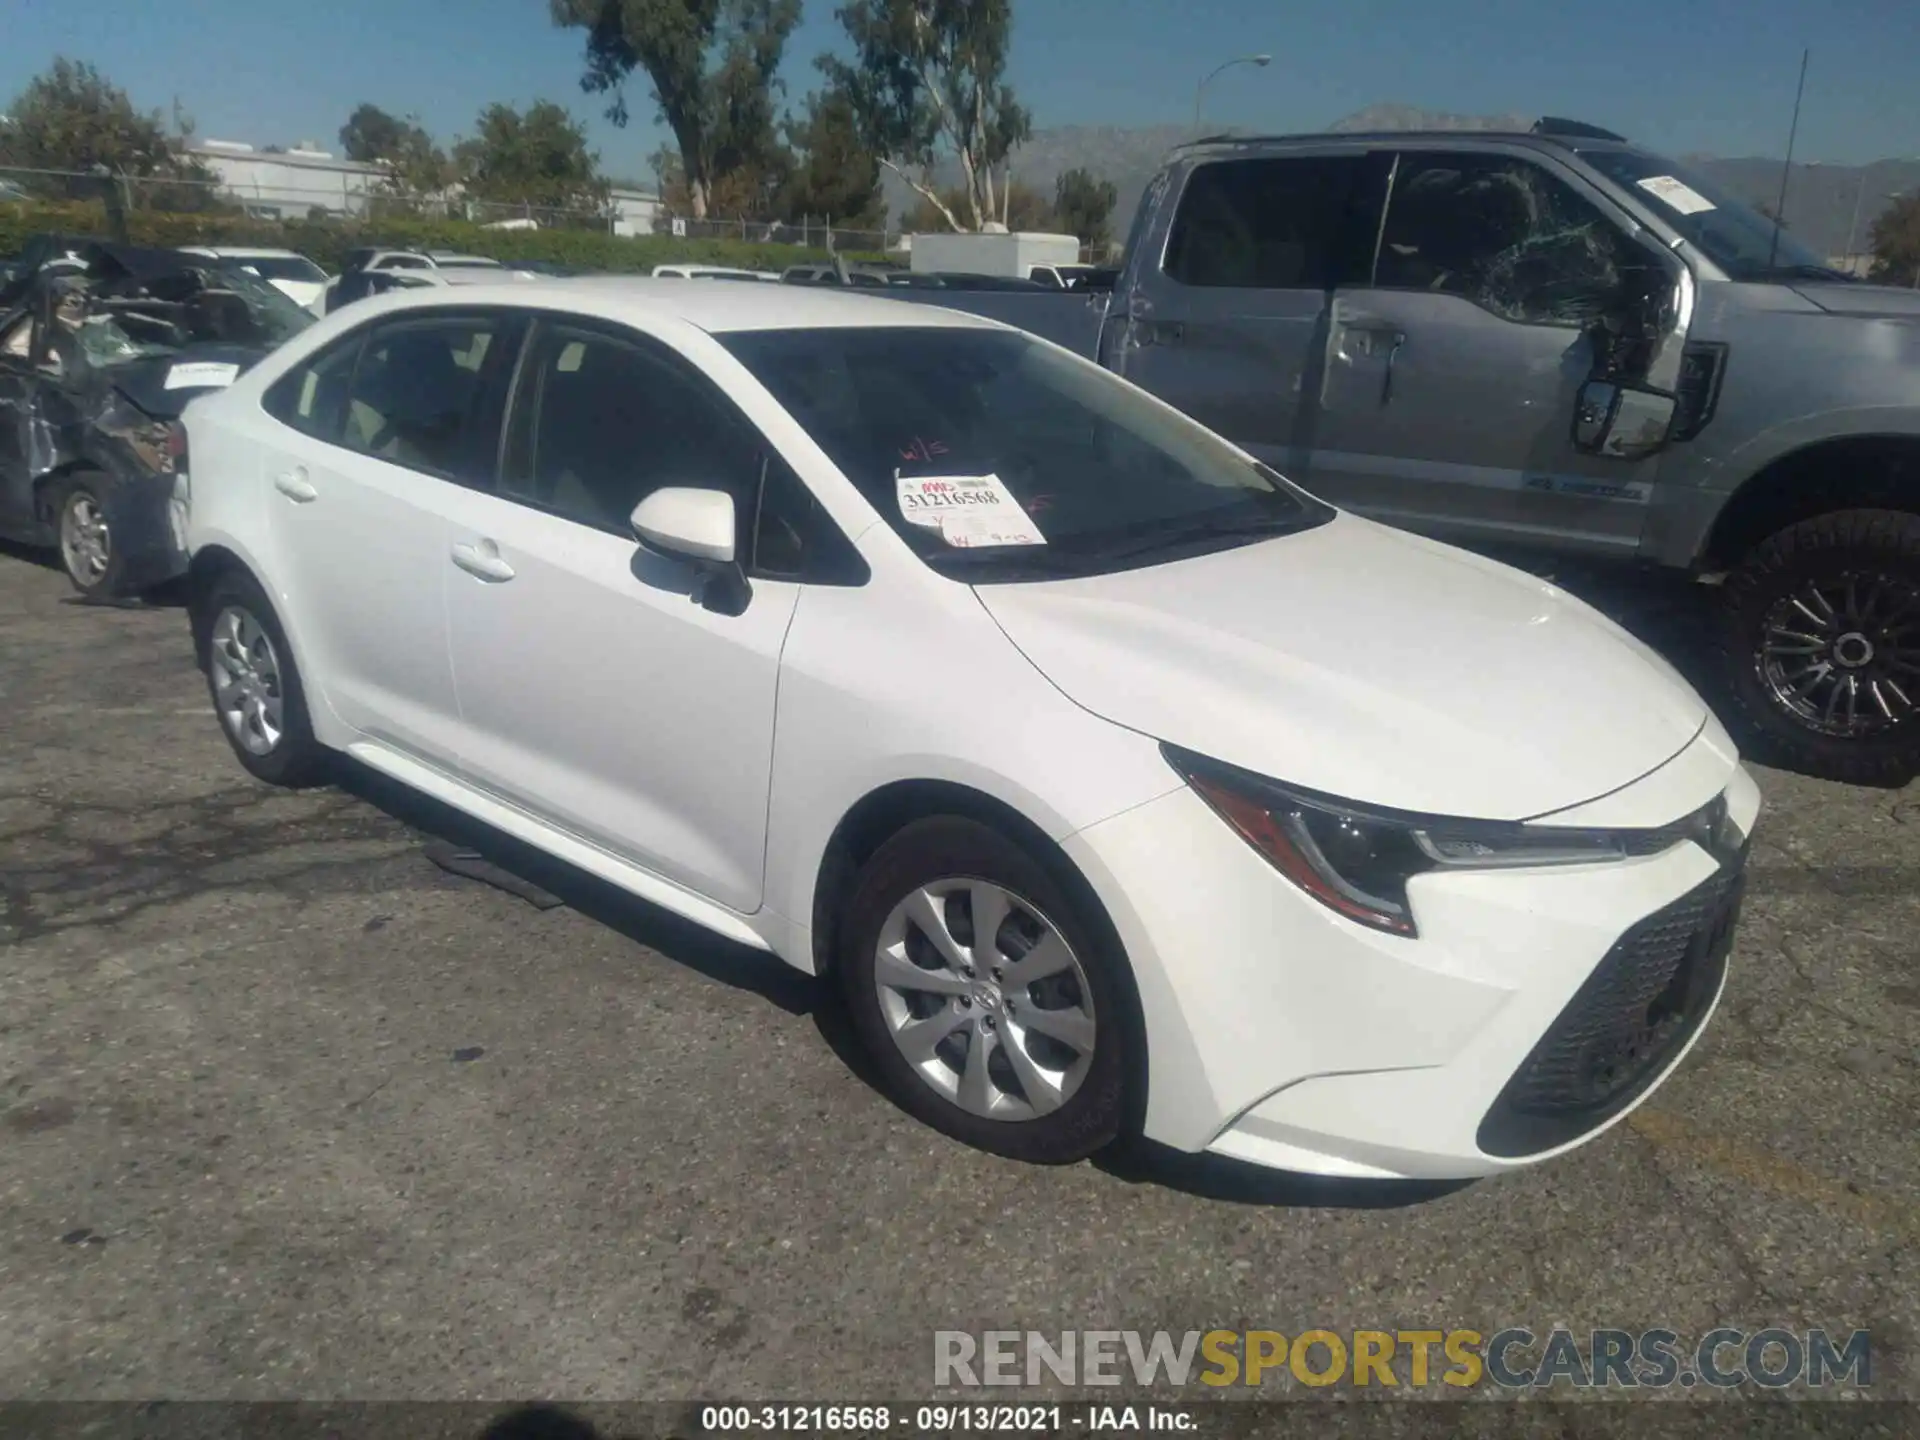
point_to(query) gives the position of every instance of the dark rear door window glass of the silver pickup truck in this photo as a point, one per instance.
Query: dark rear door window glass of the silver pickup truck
(1276, 224)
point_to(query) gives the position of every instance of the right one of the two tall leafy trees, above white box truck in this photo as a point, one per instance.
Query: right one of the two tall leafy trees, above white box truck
(926, 85)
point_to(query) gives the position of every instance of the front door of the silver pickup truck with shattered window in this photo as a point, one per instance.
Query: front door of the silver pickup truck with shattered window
(1452, 373)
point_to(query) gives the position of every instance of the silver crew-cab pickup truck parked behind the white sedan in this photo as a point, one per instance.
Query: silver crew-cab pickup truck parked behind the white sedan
(1562, 343)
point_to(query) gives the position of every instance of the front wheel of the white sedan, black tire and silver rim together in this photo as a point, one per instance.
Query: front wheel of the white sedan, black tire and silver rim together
(1028, 1065)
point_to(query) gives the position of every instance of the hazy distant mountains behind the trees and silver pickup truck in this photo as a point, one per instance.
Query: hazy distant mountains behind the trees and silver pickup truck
(1821, 199)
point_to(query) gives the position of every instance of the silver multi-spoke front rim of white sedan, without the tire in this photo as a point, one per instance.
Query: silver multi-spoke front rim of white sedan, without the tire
(986, 999)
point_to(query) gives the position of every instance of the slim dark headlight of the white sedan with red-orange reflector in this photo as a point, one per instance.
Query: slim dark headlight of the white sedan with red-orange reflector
(1358, 859)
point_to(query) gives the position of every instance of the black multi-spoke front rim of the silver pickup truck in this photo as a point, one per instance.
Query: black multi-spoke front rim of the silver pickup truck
(1842, 654)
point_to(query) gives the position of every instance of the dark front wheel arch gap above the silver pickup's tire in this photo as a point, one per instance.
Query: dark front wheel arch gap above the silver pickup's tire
(1846, 473)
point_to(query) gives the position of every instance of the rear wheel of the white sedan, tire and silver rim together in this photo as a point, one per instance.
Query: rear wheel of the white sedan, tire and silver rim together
(256, 690)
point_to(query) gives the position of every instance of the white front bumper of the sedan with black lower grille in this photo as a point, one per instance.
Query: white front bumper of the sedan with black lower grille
(1285, 1036)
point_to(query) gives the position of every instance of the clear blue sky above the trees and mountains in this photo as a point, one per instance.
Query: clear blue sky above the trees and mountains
(1687, 76)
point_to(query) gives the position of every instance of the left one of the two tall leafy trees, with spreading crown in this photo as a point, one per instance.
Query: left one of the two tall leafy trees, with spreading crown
(715, 78)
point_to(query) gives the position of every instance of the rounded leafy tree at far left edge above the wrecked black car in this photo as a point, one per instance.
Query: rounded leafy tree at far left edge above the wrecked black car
(72, 118)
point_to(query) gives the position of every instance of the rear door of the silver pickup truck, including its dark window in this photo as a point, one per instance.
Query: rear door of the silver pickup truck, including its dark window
(1230, 325)
